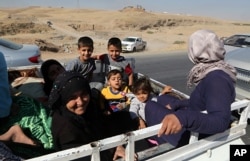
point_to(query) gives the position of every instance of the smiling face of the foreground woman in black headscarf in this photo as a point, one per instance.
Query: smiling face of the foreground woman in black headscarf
(78, 103)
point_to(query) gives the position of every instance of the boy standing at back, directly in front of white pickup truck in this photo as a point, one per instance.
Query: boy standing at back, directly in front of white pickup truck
(113, 60)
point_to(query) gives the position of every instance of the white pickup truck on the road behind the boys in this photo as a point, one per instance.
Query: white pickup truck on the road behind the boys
(133, 44)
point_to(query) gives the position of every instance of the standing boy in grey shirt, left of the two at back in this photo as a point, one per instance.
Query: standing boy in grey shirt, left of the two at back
(85, 64)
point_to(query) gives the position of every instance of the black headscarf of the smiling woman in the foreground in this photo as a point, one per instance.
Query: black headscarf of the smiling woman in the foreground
(64, 86)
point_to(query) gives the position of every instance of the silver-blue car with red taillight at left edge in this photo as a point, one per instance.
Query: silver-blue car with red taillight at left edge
(20, 54)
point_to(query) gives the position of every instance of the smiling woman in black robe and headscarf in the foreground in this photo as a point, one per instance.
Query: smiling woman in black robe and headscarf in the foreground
(77, 119)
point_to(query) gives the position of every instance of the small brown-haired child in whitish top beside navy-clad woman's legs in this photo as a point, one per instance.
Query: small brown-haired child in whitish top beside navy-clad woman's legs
(143, 92)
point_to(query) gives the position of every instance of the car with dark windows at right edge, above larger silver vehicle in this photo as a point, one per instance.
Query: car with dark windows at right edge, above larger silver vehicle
(236, 41)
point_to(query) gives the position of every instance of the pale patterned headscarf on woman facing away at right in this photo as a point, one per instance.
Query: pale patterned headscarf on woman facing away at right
(207, 52)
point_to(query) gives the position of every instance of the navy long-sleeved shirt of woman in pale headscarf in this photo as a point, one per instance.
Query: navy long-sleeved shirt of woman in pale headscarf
(214, 94)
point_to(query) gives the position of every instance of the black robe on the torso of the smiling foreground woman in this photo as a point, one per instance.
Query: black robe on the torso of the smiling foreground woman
(70, 130)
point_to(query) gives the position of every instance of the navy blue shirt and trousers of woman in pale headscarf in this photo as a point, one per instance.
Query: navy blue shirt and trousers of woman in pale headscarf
(214, 94)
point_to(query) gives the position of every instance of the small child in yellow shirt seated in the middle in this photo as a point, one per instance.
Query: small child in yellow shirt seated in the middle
(115, 93)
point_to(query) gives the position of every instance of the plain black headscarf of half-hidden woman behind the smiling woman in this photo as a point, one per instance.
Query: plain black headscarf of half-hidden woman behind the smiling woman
(44, 70)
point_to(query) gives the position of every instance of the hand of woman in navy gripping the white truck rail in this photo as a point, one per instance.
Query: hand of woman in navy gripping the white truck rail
(170, 125)
